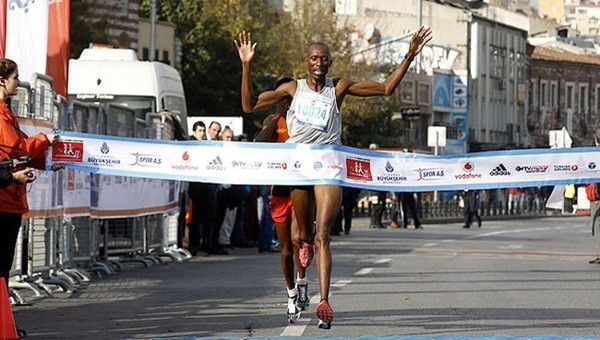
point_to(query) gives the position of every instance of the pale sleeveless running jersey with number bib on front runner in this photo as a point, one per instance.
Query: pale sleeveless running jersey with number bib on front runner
(313, 117)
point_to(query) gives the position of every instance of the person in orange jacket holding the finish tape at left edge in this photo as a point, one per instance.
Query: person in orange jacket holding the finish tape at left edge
(14, 143)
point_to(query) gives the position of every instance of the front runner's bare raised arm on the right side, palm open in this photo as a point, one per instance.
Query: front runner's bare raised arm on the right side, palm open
(368, 88)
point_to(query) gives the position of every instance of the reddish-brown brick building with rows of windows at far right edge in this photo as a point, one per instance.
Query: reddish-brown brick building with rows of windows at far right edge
(564, 92)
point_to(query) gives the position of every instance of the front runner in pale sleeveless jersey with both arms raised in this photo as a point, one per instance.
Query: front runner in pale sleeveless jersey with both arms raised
(314, 118)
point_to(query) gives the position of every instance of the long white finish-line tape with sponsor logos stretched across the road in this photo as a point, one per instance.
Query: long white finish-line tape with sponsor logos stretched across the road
(302, 164)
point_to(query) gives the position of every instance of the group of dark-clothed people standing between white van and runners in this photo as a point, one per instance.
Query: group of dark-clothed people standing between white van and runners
(222, 216)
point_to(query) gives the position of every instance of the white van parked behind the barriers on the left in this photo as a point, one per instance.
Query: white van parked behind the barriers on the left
(112, 75)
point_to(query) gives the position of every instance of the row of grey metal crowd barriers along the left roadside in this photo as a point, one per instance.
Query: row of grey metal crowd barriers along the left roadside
(52, 251)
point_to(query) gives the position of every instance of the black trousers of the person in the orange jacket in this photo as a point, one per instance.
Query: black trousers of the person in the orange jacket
(9, 230)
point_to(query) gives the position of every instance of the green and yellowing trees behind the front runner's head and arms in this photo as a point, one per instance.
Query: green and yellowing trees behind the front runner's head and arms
(211, 69)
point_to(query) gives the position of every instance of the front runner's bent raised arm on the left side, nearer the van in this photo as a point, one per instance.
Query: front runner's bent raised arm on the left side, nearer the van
(250, 102)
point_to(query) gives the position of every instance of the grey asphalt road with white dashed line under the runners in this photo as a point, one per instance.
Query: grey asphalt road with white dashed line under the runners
(513, 278)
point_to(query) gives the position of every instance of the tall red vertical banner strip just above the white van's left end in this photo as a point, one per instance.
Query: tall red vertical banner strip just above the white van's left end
(57, 62)
